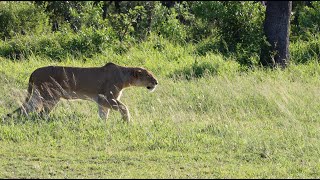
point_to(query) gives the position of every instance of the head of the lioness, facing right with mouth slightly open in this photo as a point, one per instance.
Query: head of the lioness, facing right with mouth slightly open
(144, 78)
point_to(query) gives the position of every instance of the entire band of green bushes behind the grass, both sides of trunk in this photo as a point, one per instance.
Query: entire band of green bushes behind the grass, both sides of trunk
(86, 28)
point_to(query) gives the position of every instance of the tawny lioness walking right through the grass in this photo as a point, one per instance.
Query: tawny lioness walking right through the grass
(103, 84)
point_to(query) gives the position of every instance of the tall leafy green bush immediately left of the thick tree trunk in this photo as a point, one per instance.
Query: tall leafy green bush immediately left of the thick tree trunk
(239, 26)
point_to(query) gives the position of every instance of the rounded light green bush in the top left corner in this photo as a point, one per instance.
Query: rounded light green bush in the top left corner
(21, 18)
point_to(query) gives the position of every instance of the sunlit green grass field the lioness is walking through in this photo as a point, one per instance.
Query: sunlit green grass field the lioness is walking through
(227, 124)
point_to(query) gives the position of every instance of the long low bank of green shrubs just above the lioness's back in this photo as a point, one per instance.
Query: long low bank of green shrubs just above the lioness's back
(59, 45)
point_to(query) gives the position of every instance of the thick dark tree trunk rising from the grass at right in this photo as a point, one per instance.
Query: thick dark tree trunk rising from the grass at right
(276, 28)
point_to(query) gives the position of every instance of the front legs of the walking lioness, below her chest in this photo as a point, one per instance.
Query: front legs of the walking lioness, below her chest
(106, 103)
